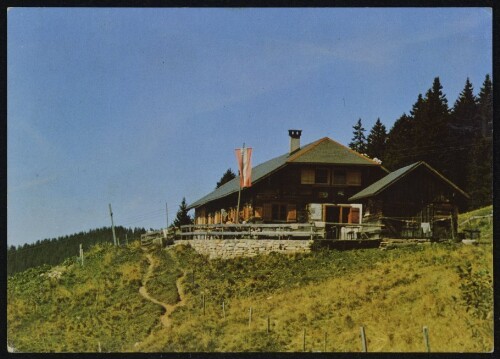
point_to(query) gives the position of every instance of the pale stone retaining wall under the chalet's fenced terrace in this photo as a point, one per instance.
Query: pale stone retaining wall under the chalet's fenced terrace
(230, 248)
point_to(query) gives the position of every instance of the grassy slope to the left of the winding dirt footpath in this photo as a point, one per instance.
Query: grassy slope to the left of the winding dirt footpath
(73, 308)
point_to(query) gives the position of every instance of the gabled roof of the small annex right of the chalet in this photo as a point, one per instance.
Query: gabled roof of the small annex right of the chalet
(393, 177)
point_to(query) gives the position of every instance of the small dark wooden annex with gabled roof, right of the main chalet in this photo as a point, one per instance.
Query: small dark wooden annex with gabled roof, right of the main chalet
(415, 201)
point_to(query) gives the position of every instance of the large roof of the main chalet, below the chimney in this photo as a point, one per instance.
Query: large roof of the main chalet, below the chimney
(324, 150)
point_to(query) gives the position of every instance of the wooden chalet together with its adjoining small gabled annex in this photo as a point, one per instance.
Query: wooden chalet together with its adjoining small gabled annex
(327, 182)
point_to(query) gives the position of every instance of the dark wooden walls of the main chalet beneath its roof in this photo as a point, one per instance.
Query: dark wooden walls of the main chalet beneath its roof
(283, 195)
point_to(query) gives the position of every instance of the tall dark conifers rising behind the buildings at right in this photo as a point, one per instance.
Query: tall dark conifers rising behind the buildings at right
(457, 140)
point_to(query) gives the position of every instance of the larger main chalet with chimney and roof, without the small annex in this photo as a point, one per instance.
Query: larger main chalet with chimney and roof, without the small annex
(322, 172)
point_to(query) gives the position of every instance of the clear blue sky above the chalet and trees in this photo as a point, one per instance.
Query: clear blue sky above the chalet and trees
(139, 107)
